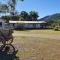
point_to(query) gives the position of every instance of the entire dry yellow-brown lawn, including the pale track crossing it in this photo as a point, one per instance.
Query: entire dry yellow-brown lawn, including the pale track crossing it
(37, 44)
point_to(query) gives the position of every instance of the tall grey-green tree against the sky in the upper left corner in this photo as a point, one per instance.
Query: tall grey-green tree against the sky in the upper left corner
(9, 6)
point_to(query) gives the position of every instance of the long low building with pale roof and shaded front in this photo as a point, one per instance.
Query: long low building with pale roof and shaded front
(28, 24)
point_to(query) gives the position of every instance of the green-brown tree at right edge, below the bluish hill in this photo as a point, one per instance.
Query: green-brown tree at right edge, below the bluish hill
(55, 24)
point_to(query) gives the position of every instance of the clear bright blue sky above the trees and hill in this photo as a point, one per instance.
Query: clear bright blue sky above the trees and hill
(43, 7)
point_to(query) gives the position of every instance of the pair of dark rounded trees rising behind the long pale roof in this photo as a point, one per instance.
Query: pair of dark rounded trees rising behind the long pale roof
(24, 16)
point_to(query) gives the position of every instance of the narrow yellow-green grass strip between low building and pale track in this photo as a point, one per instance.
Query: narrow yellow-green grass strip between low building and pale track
(41, 31)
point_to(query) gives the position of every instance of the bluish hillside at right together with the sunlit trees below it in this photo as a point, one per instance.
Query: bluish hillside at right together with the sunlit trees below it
(52, 20)
